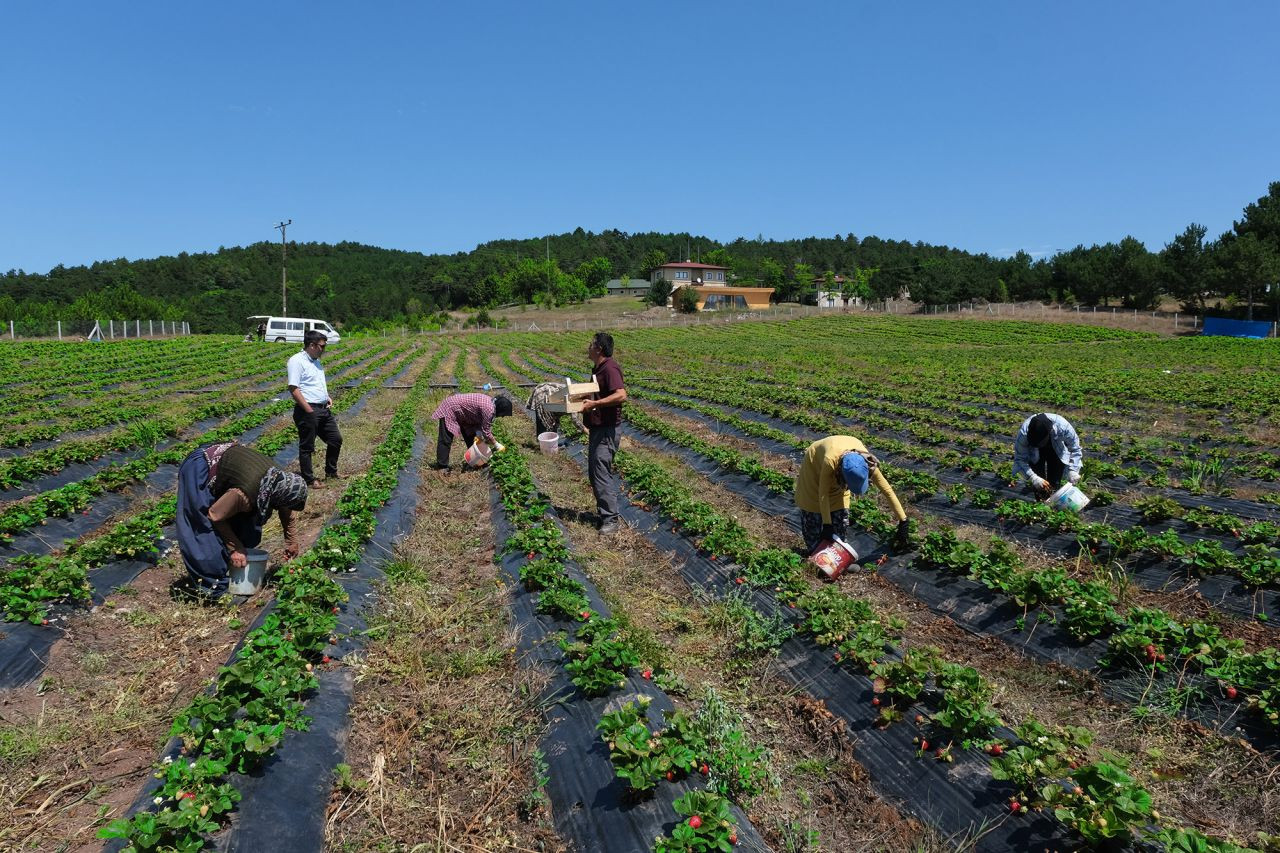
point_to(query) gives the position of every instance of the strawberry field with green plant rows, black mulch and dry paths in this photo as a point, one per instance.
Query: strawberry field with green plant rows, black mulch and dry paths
(460, 662)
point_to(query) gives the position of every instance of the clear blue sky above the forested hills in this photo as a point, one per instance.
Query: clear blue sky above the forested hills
(134, 130)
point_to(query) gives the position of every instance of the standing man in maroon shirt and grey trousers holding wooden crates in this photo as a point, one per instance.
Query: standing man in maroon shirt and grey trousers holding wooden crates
(602, 417)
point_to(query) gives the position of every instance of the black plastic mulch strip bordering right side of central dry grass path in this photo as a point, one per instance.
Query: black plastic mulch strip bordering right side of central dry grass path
(591, 805)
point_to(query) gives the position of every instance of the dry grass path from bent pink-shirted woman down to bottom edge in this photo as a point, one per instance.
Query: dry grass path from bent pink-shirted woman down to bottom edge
(446, 723)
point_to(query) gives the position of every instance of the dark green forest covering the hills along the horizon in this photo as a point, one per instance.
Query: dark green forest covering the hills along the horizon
(359, 286)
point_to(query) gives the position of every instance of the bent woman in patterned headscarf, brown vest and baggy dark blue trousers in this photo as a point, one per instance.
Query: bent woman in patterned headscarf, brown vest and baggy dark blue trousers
(226, 495)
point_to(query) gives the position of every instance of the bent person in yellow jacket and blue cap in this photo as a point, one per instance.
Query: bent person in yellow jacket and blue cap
(833, 468)
